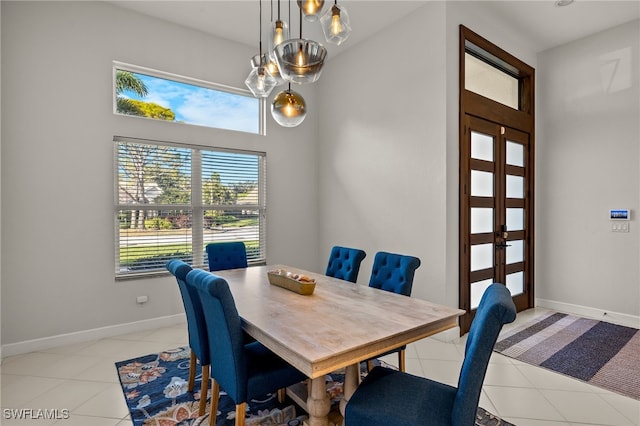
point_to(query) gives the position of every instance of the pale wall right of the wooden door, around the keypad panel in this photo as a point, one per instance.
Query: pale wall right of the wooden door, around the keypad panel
(588, 161)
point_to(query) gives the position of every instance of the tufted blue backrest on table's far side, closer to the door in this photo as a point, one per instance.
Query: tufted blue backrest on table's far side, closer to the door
(393, 272)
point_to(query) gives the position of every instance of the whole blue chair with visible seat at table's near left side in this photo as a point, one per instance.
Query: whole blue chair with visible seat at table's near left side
(242, 370)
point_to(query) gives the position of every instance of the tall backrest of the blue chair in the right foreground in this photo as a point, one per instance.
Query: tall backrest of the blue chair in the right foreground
(496, 308)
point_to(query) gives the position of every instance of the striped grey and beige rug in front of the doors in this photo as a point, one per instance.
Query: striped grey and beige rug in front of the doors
(597, 352)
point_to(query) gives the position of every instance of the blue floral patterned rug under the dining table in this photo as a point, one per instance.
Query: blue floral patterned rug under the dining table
(155, 390)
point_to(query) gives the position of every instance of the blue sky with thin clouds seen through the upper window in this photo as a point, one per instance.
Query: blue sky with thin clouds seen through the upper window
(202, 106)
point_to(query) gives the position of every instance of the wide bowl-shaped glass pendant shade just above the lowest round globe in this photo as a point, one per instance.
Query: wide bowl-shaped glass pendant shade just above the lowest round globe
(300, 60)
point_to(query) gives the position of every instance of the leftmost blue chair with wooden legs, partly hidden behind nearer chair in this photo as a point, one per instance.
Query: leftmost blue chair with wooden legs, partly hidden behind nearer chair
(198, 339)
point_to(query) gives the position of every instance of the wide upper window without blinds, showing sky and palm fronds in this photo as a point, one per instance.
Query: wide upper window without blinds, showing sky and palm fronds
(160, 96)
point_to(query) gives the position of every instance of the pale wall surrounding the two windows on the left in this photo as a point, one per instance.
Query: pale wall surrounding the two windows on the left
(57, 161)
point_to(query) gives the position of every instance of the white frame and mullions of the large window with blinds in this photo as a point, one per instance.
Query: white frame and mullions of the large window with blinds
(196, 206)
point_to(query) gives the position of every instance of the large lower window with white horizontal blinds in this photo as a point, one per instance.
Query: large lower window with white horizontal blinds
(172, 200)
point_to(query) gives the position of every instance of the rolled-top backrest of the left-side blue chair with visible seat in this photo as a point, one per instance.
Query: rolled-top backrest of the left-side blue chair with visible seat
(226, 339)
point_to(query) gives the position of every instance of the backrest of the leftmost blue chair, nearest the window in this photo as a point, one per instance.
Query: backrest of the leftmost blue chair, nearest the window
(193, 310)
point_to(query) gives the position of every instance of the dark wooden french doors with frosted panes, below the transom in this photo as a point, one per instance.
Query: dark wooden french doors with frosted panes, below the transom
(496, 212)
